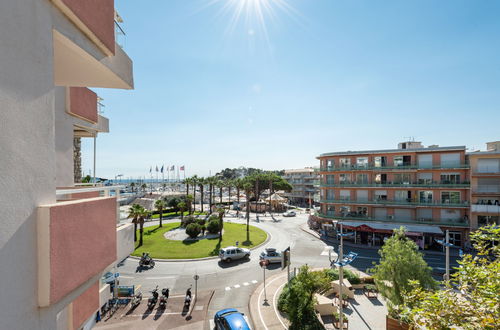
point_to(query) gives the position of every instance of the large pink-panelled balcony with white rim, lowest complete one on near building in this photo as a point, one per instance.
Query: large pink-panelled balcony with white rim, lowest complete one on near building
(77, 239)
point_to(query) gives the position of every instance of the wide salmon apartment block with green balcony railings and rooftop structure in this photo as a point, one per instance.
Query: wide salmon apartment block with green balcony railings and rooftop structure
(371, 192)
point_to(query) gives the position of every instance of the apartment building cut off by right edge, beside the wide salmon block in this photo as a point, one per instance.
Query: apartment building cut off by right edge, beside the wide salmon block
(485, 186)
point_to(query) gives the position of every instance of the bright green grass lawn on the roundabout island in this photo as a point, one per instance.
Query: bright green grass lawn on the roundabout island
(160, 247)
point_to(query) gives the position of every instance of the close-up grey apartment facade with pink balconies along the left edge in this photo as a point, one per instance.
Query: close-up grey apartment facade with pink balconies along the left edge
(57, 239)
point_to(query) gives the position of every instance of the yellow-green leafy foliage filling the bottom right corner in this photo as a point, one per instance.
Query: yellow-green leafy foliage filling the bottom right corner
(471, 299)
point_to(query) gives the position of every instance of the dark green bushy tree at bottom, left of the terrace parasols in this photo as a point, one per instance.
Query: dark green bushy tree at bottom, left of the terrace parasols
(297, 300)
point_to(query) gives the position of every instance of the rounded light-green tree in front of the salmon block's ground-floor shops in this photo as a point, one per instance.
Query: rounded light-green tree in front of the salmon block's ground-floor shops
(400, 262)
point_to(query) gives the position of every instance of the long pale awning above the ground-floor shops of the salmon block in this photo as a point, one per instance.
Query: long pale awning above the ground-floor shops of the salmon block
(412, 230)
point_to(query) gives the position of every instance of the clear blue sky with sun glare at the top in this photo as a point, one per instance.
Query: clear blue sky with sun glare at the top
(276, 88)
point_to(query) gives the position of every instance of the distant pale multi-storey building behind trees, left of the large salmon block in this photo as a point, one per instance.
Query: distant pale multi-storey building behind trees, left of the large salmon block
(305, 191)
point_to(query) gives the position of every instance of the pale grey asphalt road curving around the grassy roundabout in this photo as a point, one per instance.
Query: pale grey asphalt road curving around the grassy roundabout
(234, 283)
